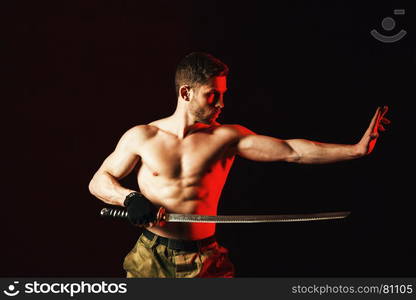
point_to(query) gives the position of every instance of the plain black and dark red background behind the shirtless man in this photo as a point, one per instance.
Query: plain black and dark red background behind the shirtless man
(80, 73)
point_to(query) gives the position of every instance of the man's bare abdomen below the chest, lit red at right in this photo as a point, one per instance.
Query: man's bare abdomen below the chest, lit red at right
(184, 195)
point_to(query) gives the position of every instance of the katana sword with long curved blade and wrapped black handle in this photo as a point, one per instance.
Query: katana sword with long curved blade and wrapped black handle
(162, 216)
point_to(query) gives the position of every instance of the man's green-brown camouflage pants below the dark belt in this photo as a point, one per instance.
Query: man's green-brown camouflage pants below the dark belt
(149, 259)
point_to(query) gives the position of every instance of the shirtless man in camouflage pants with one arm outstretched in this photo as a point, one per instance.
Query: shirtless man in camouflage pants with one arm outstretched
(184, 160)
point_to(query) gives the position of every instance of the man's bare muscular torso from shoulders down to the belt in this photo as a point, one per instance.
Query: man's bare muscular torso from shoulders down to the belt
(186, 175)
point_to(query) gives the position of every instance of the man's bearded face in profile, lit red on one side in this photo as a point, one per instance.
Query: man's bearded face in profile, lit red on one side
(207, 100)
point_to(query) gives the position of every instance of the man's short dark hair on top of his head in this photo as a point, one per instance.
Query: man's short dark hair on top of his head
(197, 68)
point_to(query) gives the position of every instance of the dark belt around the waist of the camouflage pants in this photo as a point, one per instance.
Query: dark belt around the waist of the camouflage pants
(175, 244)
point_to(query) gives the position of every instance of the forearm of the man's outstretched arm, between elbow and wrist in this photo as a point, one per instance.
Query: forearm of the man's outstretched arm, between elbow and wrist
(310, 152)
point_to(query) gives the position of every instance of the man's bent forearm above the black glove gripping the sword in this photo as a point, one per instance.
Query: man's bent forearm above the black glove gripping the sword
(106, 188)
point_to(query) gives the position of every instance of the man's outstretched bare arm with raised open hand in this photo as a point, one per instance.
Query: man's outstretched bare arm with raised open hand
(265, 148)
